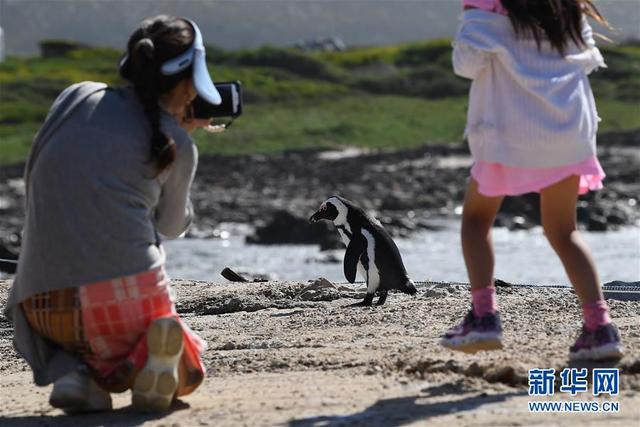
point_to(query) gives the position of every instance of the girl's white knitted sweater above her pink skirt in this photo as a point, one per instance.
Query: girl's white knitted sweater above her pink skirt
(528, 107)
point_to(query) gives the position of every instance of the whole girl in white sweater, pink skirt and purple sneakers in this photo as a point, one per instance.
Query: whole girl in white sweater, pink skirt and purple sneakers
(531, 127)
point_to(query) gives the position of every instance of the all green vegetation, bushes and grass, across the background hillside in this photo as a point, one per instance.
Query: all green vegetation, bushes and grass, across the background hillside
(388, 96)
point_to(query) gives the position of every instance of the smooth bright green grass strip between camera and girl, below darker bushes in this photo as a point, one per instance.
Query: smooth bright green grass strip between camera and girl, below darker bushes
(362, 121)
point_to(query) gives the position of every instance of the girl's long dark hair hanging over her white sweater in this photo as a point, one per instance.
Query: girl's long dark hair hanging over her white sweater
(559, 20)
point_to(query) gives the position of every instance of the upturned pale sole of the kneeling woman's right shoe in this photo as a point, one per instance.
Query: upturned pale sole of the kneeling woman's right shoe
(156, 384)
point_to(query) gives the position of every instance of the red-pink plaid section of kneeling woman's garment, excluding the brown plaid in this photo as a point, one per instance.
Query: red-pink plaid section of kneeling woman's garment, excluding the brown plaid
(116, 315)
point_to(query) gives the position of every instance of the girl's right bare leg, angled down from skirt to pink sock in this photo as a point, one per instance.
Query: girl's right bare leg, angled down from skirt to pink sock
(558, 211)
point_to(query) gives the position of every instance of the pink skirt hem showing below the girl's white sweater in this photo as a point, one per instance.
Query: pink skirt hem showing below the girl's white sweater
(495, 179)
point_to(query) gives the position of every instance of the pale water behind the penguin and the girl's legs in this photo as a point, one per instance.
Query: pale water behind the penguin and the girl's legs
(521, 257)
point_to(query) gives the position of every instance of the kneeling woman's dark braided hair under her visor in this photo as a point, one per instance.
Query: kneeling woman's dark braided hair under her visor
(157, 40)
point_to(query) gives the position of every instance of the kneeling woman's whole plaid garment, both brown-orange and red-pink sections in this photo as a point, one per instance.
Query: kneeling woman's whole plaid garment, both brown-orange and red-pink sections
(106, 324)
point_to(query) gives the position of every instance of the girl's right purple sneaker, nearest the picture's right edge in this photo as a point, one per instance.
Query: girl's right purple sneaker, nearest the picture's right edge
(603, 343)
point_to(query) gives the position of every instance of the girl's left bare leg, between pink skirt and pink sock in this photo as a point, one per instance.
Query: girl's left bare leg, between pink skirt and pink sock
(478, 216)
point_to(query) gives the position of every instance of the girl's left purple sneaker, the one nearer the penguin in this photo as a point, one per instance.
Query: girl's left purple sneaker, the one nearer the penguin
(475, 334)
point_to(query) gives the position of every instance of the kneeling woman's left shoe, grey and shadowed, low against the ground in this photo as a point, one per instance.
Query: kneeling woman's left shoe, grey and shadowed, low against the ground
(78, 392)
